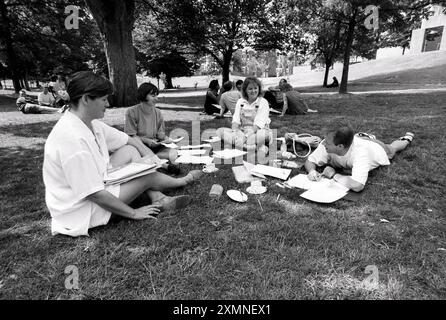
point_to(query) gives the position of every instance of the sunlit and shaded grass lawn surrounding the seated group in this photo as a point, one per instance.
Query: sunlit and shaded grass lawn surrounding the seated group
(218, 249)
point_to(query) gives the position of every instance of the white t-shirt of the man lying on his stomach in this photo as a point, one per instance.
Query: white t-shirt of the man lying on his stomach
(362, 156)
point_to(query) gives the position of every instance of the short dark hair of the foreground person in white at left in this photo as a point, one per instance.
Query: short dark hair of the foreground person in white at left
(88, 83)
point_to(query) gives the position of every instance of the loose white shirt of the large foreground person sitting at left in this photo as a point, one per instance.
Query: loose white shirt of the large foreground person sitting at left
(74, 165)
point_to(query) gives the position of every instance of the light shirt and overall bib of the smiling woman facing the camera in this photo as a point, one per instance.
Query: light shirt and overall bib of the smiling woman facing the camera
(249, 114)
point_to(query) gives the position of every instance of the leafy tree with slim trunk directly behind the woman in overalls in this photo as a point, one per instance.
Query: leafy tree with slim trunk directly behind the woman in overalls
(215, 28)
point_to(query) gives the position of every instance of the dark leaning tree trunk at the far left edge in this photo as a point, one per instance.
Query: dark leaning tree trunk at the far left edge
(10, 54)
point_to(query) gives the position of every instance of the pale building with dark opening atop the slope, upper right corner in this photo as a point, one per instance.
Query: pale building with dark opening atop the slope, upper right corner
(432, 34)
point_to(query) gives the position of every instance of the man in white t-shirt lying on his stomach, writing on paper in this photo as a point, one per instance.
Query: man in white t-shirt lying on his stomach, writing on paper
(359, 153)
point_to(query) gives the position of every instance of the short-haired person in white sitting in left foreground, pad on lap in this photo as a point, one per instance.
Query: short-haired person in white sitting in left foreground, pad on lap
(78, 153)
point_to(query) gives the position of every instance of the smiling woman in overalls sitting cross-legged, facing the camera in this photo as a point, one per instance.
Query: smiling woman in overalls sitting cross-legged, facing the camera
(250, 122)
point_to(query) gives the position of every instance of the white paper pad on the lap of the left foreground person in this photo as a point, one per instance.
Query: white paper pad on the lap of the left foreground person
(129, 172)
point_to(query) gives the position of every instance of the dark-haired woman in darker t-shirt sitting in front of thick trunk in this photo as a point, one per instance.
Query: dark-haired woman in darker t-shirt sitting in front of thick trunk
(146, 121)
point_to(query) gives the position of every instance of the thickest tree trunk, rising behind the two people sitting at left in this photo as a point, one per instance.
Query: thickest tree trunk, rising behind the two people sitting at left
(115, 19)
